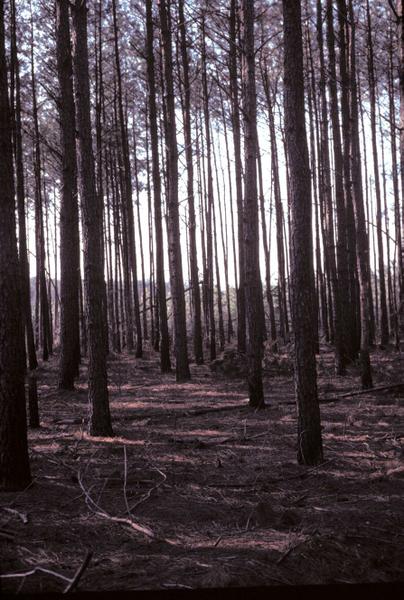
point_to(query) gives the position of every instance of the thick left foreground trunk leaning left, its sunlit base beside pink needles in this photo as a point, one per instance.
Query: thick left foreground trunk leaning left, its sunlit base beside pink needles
(92, 217)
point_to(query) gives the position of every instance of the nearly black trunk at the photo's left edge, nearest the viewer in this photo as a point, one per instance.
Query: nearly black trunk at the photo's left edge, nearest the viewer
(14, 462)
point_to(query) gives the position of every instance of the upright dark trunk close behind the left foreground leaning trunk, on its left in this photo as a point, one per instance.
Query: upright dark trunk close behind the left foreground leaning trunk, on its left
(69, 214)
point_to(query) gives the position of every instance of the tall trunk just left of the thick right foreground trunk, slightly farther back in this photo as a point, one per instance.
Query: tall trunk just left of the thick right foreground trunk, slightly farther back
(253, 288)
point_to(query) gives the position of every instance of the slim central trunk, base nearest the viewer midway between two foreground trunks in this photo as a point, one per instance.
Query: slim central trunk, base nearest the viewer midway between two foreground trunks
(174, 245)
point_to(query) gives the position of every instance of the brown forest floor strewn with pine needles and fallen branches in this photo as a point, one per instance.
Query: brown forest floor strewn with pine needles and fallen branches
(213, 486)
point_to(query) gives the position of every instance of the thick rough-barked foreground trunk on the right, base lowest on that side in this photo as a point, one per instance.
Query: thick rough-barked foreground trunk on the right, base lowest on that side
(310, 450)
